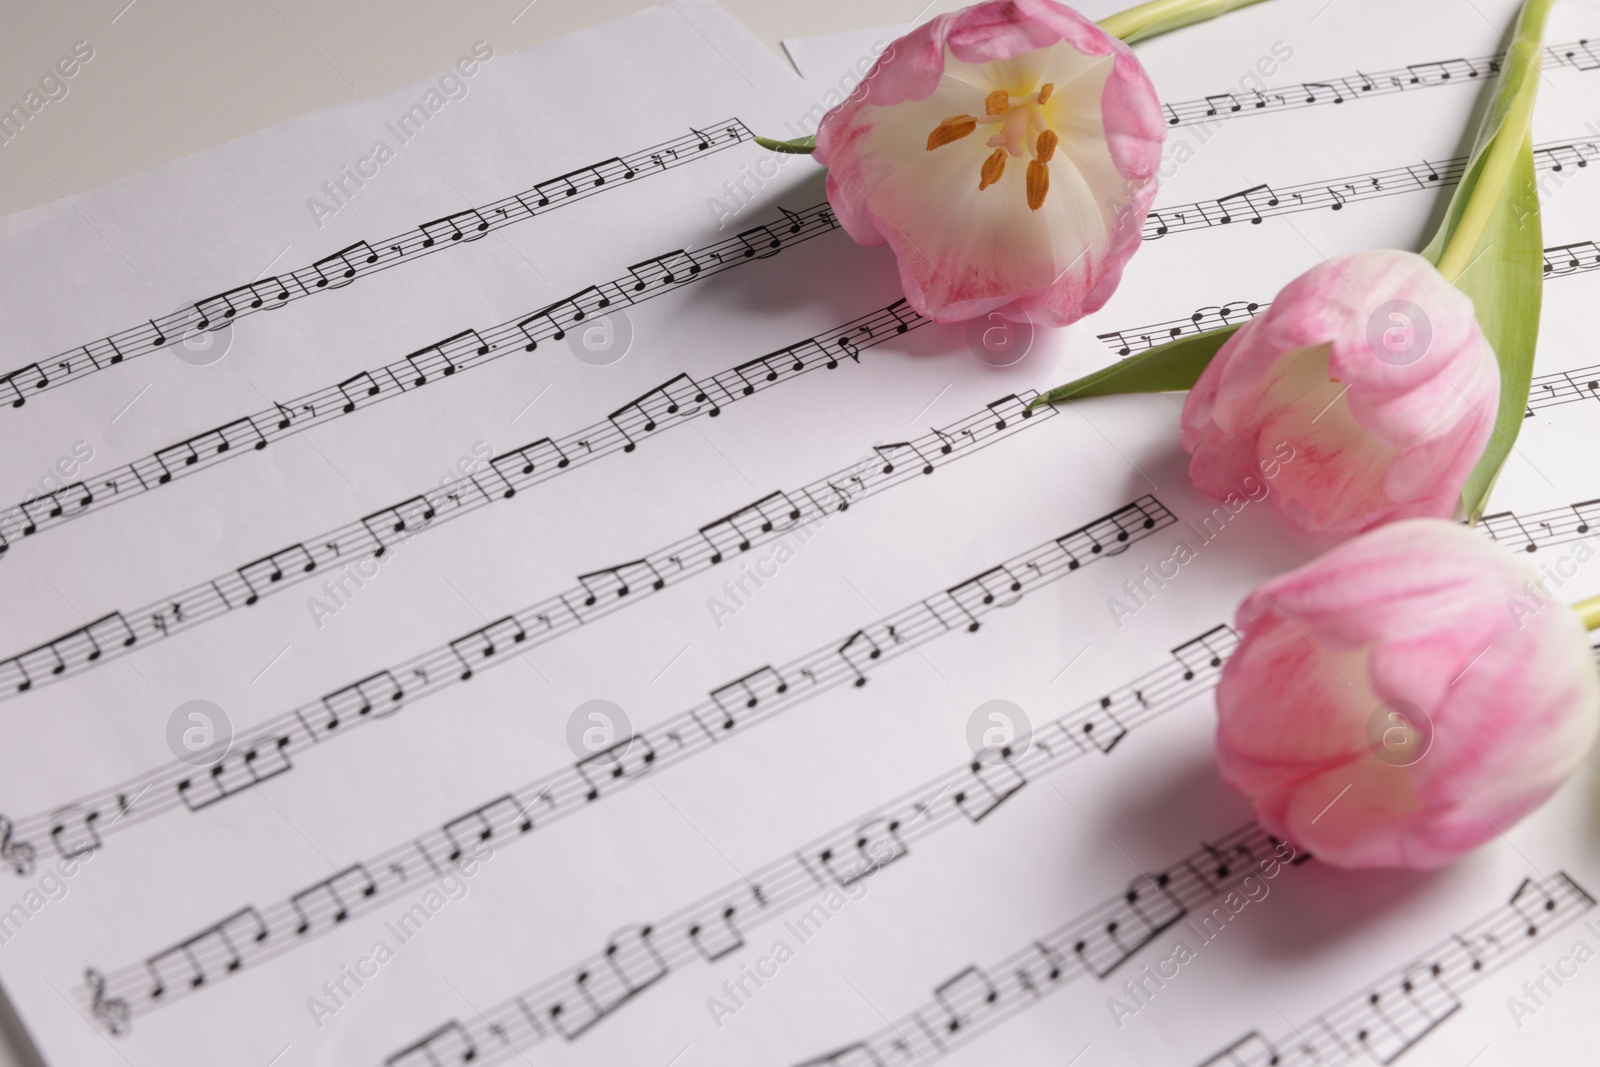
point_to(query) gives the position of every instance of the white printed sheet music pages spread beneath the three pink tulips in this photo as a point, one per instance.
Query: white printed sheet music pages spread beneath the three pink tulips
(623, 633)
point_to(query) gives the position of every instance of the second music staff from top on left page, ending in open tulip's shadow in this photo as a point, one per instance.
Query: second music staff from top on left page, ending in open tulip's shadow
(436, 362)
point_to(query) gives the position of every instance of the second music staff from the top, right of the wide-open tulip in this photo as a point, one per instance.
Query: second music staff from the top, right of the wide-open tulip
(1262, 202)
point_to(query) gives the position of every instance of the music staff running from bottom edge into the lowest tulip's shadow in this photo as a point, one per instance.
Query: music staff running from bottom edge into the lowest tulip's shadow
(1094, 945)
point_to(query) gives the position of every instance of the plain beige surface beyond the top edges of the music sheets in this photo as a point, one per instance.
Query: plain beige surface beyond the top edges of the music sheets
(175, 78)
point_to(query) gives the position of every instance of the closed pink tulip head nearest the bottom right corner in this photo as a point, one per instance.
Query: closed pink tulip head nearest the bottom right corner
(1406, 698)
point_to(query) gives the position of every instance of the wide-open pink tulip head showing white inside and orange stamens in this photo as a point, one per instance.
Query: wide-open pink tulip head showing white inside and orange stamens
(1007, 154)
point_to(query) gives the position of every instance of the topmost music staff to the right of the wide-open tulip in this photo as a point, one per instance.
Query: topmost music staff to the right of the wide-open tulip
(1578, 55)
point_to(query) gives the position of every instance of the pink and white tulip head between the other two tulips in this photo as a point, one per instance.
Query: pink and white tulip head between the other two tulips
(1374, 369)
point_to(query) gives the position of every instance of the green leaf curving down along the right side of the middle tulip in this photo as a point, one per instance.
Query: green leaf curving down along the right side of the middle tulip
(1506, 284)
